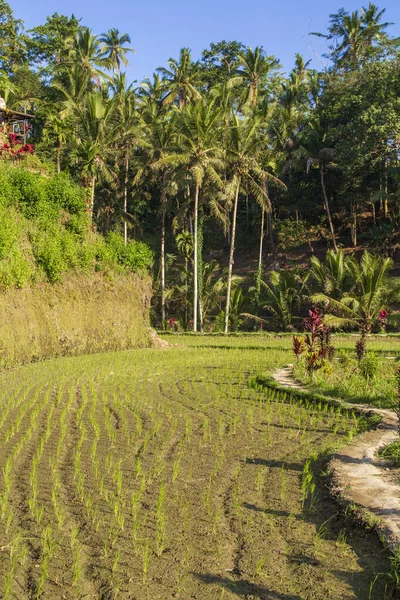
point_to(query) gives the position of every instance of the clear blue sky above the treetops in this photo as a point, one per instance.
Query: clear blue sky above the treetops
(159, 28)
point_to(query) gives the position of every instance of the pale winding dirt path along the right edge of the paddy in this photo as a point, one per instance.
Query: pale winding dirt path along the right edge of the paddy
(360, 476)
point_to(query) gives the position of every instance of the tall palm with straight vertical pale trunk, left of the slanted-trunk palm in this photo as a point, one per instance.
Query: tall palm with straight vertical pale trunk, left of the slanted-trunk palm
(199, 153)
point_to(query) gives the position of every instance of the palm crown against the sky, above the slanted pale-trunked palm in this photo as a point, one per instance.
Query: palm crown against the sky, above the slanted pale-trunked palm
(254, 70)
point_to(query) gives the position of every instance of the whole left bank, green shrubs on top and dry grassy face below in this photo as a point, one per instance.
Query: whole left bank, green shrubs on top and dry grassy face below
(64, 288)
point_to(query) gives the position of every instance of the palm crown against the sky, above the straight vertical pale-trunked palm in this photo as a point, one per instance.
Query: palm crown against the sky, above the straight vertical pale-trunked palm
(181, 79)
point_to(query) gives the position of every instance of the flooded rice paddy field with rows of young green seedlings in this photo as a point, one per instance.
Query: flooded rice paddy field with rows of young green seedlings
(160, 473)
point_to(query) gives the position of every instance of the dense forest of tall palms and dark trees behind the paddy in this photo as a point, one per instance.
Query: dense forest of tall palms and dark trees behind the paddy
(227, 151)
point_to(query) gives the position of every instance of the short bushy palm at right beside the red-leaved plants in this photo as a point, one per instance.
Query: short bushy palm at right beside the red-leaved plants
(370, 293)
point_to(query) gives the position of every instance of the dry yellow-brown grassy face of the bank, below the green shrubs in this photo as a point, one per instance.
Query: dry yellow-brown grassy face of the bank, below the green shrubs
(83, 314)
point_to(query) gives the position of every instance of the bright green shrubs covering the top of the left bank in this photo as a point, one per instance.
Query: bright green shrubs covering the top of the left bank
(44, 231)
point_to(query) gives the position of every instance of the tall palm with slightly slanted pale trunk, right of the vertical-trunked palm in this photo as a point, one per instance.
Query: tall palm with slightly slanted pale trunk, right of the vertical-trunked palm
(244, 148)
